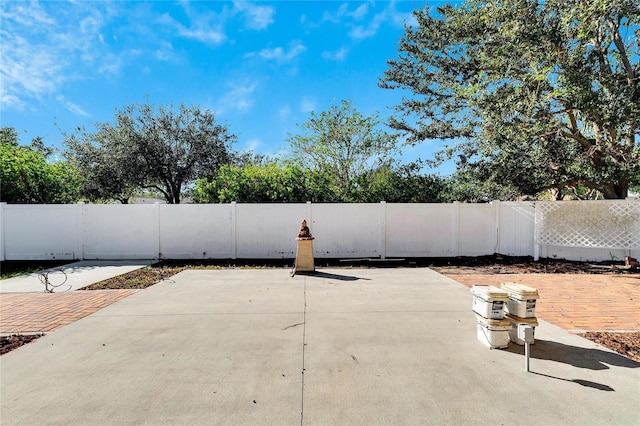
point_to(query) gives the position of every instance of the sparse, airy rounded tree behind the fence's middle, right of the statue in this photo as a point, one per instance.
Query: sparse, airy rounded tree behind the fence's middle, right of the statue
(343, 144)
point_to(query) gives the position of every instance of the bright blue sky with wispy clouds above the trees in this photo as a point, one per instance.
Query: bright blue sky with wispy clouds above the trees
(262, 66)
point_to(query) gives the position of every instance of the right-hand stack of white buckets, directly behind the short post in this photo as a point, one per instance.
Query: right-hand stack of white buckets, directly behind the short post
(521, 308)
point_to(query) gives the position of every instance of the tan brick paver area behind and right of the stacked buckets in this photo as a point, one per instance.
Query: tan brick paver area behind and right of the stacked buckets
(578, 301)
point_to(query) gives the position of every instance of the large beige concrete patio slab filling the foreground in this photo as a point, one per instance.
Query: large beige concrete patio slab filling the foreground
(360, 346)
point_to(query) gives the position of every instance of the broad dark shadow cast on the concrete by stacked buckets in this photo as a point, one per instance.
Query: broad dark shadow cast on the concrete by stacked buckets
(593, 359)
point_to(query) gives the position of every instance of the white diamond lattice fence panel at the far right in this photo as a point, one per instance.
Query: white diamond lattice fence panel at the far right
(597, 224)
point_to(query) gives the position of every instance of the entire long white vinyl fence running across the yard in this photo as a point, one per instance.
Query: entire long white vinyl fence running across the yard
(268, 231)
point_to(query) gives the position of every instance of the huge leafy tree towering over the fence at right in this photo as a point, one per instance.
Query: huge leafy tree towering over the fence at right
(543, 95)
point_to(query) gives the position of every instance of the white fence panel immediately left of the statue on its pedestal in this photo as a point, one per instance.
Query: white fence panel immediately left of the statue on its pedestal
(268, 231)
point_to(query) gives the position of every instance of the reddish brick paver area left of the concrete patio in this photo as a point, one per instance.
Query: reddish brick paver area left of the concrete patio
(43, 312)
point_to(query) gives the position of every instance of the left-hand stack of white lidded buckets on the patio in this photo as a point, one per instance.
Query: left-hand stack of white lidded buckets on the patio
(492, 328)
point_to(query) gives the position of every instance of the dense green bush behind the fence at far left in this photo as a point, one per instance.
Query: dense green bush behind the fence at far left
(26, 176)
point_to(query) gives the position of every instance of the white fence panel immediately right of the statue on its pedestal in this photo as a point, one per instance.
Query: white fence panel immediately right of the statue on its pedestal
(346, 230)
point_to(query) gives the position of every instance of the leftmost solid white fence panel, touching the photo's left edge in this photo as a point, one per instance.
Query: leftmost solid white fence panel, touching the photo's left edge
(37, 232)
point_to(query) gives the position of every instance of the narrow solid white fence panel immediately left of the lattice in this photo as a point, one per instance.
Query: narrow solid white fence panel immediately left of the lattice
(516, 228)
